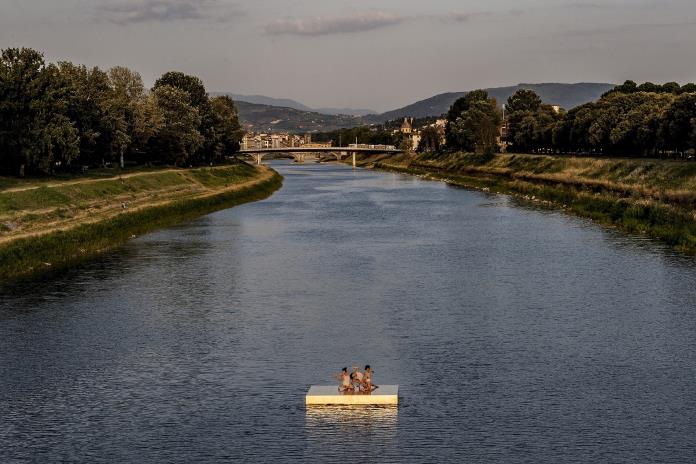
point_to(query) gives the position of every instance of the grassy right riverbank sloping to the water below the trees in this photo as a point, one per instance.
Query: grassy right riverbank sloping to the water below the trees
(656, 198)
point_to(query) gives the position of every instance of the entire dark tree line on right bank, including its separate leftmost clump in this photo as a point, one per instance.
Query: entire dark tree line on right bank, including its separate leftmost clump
(630, 120)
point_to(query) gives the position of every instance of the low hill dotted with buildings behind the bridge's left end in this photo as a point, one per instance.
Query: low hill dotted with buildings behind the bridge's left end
(266, 118)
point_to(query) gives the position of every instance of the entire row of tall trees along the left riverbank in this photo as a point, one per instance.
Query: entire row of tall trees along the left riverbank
(59, 116)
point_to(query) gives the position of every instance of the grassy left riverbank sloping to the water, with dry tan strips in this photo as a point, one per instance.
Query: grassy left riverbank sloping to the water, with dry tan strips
(45, 226)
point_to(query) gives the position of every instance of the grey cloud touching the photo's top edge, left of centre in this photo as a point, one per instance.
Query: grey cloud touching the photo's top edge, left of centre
(140, 11)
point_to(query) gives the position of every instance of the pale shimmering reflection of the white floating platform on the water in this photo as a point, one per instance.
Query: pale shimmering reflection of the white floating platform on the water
(330, 427)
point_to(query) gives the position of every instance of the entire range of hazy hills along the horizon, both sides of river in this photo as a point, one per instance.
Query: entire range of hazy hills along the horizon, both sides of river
(285, 115)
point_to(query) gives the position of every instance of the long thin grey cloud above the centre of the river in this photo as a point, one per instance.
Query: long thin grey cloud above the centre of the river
(320, 25)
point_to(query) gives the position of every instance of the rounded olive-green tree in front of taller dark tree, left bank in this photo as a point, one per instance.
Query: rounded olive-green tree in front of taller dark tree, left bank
(178, 138)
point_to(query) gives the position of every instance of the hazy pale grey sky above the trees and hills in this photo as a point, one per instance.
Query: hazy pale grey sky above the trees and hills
(378, 54)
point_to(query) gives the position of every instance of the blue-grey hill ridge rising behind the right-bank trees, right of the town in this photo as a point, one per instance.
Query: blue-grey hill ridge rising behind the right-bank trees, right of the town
(565, 95)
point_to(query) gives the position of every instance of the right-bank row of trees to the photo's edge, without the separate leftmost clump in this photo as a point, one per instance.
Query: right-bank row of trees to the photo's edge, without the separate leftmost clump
(621, 123)
